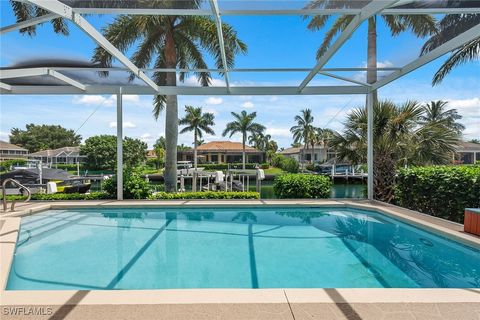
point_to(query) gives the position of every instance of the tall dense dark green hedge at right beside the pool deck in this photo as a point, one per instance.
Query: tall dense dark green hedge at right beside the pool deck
(440, 191)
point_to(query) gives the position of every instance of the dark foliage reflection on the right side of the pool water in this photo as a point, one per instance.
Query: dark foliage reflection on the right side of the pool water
(427, 265)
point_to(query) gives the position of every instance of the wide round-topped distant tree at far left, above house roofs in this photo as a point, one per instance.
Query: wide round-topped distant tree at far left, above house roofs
(41, 137)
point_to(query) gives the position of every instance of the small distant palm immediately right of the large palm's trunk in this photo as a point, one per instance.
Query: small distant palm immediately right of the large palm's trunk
(198, 122)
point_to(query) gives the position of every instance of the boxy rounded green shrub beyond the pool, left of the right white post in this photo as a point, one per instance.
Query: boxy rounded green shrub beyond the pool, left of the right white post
(298, 186)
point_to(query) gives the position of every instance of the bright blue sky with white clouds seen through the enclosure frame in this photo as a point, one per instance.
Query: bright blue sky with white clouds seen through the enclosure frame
(280, 41)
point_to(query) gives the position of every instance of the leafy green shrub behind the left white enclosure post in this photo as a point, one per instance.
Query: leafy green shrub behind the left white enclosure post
(134, 185)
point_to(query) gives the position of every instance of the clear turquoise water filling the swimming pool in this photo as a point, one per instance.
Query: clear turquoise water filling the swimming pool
(268, 247)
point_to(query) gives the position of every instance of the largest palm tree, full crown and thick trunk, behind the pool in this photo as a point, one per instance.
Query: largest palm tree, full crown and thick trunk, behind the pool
(170, 42)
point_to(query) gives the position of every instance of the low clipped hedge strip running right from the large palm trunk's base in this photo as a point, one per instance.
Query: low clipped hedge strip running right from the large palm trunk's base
(204, 195)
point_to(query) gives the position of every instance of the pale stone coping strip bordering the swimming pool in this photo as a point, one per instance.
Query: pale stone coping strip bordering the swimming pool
(11, 223)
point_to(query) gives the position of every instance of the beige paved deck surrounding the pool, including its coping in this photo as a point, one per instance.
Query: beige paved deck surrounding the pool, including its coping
(237, 303)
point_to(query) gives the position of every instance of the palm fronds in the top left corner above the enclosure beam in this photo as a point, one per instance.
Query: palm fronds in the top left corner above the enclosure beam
(25, 11)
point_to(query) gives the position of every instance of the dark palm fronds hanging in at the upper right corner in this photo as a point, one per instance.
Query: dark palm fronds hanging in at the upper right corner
(450, 26)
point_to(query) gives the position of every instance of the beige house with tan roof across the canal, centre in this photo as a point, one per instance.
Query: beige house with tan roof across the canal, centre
(222, 152)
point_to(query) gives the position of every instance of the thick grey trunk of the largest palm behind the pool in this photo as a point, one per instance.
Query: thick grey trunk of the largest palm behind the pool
(171, 121)
